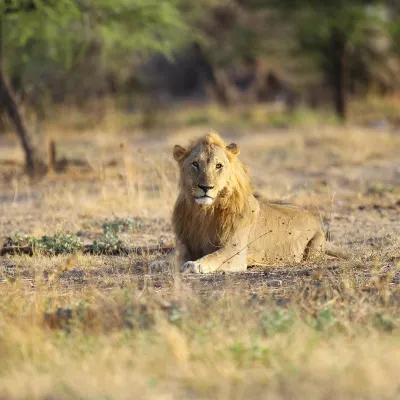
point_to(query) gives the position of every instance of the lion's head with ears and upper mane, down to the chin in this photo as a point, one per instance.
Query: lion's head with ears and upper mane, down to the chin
(209, 169)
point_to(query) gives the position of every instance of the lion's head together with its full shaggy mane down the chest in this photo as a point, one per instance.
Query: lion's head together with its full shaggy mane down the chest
(214, 193)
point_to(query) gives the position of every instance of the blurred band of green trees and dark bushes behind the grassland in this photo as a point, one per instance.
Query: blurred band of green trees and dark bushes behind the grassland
(339, 59)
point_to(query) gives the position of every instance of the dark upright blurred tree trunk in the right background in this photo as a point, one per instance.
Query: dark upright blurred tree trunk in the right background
(339, 73)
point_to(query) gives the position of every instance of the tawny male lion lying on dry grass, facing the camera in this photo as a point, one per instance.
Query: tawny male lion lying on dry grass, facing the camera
(221, 226)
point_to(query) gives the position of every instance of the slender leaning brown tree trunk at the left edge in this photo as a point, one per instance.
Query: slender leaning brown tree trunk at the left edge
(35, 165)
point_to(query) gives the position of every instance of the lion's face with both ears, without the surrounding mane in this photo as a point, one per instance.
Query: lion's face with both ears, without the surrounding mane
(205, 171)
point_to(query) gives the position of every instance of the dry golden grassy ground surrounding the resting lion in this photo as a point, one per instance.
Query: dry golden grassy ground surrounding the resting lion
(100, 327)
